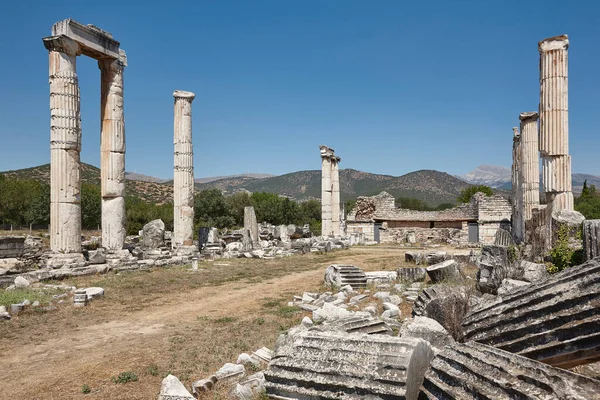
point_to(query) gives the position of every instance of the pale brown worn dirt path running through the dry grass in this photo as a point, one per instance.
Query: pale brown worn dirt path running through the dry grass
(94, 351)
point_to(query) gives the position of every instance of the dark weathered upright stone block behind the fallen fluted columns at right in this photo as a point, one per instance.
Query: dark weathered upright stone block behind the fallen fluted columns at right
(494, 267)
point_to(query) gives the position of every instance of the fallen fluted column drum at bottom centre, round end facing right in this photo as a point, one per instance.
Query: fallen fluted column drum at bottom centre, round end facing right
(333, 365)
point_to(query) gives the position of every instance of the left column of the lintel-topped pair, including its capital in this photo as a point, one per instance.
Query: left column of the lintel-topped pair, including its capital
(65, 145)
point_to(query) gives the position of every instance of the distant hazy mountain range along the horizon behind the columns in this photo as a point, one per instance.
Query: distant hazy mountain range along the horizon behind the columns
(433, 187)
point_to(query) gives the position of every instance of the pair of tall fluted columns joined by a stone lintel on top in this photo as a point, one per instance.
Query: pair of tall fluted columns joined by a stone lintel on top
(70, 39)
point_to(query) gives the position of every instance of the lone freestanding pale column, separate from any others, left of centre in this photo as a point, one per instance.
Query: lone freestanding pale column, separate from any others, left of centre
(183, 182)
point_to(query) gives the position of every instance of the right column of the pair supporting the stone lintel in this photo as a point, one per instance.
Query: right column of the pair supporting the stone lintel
(112, 152)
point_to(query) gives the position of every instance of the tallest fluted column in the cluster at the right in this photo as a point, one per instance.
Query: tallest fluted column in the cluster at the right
(554, 123)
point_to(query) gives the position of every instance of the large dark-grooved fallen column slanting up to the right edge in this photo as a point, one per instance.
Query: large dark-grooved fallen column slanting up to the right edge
(556, 321)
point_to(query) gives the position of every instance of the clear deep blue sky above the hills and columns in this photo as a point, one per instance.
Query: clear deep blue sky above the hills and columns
(392, 86)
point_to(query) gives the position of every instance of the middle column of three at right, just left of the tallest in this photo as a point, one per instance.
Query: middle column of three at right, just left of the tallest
(530, 165)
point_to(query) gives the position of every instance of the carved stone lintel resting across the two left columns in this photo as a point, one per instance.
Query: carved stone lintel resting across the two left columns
(94, 42)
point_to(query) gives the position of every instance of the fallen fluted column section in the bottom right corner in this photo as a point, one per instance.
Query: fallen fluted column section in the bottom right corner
(475, 371)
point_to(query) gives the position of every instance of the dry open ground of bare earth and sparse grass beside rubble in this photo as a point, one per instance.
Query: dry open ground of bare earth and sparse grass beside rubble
(168, 320)
